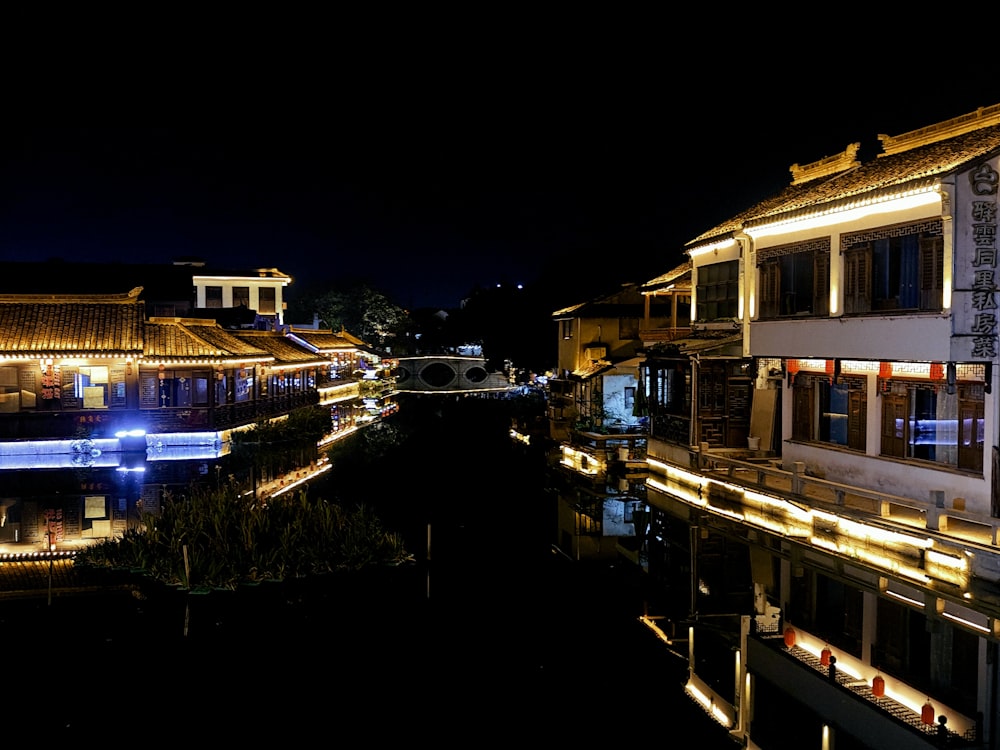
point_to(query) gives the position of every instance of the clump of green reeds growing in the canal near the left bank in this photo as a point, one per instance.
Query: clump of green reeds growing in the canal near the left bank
(218, 538)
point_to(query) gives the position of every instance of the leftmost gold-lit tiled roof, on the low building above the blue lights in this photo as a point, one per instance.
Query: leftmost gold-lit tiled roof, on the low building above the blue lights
(44, 325)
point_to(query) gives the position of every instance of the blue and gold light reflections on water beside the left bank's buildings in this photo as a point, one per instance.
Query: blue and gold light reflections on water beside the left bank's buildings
(65, 493)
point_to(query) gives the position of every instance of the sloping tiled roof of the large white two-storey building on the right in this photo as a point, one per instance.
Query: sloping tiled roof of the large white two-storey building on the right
(917, 167)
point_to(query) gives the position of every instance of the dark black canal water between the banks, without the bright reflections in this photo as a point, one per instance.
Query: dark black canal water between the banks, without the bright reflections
(489, 636)
